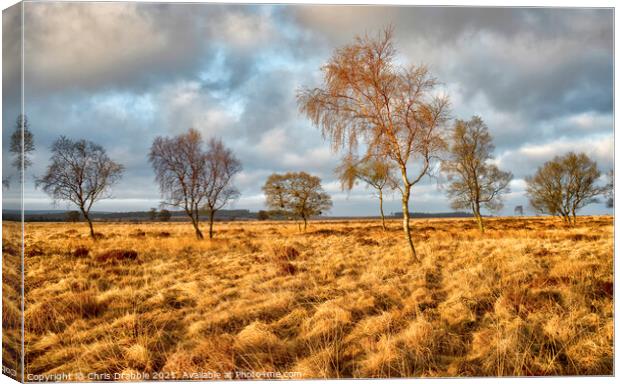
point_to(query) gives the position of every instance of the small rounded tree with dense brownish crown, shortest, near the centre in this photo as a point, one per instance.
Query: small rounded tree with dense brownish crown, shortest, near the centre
(298, 195)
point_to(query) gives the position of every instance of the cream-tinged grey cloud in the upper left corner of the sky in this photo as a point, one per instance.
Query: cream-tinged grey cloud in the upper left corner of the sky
(104, 45)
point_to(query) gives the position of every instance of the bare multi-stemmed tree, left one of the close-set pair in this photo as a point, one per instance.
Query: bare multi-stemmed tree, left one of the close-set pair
(180, 169)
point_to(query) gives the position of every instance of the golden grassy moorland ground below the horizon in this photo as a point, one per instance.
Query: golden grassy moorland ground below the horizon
(528, 297)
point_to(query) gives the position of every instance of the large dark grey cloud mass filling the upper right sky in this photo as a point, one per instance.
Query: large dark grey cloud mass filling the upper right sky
(533, 63)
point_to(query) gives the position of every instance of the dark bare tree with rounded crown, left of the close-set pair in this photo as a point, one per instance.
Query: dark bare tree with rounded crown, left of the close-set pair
(80, 172)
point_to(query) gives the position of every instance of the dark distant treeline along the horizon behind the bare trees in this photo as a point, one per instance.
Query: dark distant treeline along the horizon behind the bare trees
(222, 215)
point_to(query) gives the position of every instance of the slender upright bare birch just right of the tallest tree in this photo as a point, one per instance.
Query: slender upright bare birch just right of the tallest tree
(474, 181)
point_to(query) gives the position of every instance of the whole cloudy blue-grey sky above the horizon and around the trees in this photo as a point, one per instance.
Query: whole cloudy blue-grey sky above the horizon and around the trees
(120, 74)
